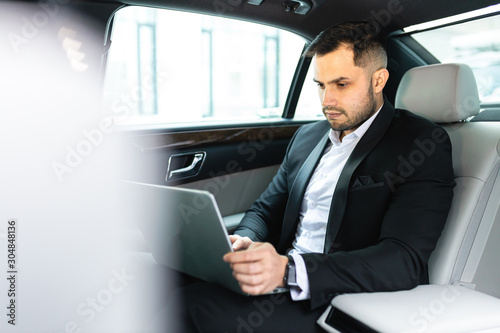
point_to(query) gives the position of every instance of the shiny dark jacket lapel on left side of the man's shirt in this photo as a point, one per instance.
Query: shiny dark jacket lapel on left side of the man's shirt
(297, 193)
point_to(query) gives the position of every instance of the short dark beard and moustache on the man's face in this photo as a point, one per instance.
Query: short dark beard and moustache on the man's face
(364, 112)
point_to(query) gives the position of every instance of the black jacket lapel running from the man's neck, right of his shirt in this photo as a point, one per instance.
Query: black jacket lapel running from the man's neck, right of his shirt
(363, 148)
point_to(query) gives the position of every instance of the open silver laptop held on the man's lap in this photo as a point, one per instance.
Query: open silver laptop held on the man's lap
(184, 230)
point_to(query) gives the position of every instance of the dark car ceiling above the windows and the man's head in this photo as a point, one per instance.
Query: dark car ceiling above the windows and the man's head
(389, 15)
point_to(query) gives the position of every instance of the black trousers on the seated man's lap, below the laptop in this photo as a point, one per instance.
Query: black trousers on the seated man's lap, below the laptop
(207, 307)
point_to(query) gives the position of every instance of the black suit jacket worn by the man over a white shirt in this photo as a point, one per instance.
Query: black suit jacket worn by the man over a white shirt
(388, 208)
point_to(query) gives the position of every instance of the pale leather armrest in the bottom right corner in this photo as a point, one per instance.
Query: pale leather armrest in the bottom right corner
(427, 308)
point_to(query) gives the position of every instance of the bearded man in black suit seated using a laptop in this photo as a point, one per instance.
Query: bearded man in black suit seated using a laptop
(357, 205)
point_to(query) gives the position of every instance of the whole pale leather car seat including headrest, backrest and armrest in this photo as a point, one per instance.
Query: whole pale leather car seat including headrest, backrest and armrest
(464, 268)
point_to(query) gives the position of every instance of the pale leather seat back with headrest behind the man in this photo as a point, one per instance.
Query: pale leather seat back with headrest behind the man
(466, 251)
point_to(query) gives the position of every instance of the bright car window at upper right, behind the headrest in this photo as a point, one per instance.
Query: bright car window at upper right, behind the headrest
(475, 43)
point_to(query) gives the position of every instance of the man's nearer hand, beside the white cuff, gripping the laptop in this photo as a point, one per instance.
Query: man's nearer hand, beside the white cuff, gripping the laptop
(259, 269)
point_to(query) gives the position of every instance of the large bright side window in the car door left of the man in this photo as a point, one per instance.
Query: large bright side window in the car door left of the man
(171, 67)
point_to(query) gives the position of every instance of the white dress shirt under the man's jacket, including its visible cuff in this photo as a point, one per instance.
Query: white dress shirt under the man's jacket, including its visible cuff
(315, 208)
